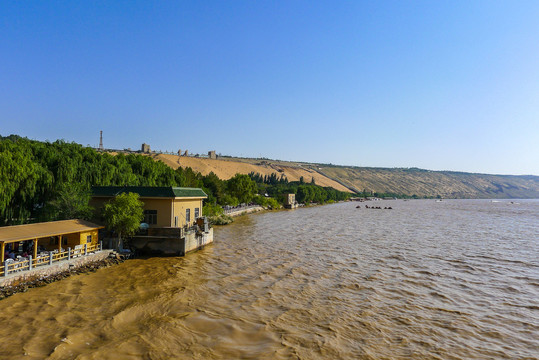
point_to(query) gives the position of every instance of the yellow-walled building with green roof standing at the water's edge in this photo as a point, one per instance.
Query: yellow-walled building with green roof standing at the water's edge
(163, 206)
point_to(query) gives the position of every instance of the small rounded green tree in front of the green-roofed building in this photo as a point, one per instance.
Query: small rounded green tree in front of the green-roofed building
(123, 214)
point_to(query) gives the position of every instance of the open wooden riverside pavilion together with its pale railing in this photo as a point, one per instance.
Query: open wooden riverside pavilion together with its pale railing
(25, 247)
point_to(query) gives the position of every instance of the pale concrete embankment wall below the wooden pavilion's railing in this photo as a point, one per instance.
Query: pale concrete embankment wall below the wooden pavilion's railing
(55, 268)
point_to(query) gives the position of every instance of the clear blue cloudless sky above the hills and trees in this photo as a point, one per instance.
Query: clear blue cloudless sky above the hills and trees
(440, 85)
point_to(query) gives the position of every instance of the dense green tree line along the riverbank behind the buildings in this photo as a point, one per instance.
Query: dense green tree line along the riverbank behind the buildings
(45, 181)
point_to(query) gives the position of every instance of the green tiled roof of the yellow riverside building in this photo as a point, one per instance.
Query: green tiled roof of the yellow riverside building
(148, 191)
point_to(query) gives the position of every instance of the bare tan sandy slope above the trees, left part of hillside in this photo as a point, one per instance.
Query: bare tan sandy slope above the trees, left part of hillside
(225, 169)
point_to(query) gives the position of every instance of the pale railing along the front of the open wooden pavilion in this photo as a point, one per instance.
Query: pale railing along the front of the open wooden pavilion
(11, 266)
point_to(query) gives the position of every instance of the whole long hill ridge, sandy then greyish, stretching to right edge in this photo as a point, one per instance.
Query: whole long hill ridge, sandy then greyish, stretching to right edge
(399, 181)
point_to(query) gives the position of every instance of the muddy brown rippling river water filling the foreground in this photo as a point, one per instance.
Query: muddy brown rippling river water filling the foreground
(457, 279)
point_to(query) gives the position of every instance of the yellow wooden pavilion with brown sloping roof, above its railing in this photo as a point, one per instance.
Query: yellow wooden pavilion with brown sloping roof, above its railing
(54, 235)
